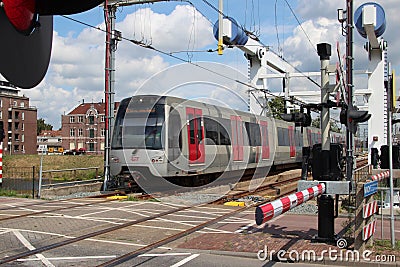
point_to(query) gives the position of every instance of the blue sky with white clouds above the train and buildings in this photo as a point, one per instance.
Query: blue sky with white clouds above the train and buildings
(184, 30)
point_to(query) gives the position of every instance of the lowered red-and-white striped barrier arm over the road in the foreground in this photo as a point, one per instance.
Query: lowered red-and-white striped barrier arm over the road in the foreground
(277, 207)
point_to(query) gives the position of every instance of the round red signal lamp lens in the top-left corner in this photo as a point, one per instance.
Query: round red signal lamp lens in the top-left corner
(21, 14)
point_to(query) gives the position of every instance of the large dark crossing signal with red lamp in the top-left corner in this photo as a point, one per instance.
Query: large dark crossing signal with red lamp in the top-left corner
(26, 28)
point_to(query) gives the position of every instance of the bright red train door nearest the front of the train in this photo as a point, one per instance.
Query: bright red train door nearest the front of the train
(195, 135)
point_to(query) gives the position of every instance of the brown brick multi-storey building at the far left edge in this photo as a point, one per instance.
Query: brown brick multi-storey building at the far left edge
(19, 120)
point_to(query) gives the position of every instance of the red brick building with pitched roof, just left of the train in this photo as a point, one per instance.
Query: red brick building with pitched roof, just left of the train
(84, 128)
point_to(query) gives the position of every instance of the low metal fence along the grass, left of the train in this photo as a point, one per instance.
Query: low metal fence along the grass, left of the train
(25, 180)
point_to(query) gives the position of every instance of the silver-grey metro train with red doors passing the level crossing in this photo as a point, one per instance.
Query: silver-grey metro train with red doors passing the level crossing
(187, 142)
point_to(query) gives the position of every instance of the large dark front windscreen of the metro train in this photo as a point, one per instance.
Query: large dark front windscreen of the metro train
(139, 125)
